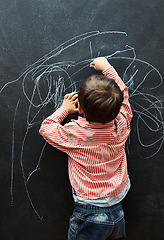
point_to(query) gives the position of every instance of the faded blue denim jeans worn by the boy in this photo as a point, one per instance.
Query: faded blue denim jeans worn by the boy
(90, 222)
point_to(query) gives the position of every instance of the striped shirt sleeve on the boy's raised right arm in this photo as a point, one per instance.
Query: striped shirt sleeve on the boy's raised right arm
(125, 109)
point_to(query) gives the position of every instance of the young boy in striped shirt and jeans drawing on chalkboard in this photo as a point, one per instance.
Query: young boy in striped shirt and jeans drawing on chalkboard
(95, 146)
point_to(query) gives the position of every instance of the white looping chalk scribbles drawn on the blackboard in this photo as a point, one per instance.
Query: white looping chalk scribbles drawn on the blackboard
(56, 77)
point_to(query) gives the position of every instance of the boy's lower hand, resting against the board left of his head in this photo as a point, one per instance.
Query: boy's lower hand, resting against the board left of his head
(69, 103)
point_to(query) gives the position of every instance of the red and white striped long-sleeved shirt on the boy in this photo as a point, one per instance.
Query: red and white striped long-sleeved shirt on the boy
(97, 162)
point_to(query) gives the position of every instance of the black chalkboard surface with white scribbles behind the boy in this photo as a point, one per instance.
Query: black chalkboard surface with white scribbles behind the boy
(46, 48)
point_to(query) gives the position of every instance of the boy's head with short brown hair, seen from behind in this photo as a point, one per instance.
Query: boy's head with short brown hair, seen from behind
(100, 98)
